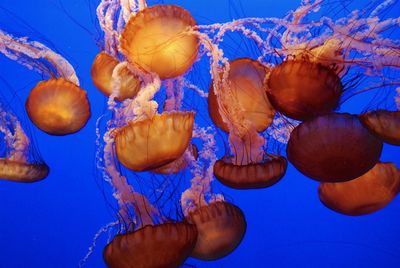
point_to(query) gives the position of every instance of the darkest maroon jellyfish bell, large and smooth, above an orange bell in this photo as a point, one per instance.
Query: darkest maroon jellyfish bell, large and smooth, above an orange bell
(333, 148)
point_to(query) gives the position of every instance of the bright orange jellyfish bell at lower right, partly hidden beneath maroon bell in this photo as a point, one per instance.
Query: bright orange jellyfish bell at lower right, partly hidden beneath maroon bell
(365, 194)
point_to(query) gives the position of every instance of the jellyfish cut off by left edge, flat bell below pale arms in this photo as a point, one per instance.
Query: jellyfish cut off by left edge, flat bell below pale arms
(16, 160)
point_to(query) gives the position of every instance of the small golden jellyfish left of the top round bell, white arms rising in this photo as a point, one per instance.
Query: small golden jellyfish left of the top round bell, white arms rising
(110, 72)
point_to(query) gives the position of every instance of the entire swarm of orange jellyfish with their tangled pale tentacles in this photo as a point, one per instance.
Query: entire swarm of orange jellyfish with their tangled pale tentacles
(160, 153)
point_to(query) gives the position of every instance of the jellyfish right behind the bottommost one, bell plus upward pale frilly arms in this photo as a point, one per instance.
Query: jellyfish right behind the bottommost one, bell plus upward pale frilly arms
(221, 225)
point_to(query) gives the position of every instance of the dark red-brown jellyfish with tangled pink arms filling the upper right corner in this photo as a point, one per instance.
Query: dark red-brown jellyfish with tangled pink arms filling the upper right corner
(320, 55)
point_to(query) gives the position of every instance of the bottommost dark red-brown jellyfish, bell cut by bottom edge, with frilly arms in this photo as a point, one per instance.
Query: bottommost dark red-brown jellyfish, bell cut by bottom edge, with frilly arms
(147, 238)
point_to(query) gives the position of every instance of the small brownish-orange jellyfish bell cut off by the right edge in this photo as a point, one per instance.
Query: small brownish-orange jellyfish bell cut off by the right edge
(384, 124)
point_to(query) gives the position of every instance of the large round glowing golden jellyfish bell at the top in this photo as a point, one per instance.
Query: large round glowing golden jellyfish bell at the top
(157, 40)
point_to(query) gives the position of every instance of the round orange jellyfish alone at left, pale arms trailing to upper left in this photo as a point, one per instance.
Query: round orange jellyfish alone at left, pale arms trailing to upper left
(57, 106)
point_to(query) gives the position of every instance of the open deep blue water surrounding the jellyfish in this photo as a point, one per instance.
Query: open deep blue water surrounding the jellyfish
(52, 223)
